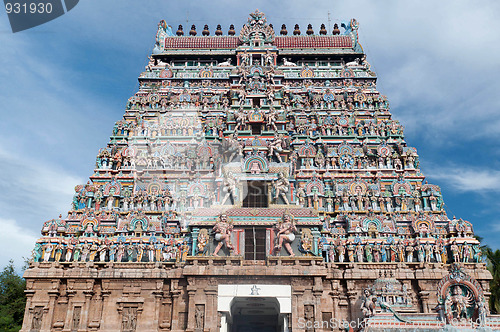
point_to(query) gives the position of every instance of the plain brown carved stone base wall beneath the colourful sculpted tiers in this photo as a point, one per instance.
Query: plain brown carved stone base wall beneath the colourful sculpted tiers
(167, 297)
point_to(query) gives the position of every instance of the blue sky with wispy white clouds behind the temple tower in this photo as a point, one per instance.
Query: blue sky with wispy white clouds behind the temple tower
(65, 83)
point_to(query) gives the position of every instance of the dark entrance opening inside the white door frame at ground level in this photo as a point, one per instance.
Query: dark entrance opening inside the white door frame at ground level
(251, 314)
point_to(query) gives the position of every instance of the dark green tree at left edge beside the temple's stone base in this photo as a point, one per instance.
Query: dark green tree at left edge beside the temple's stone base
(12, 299)
